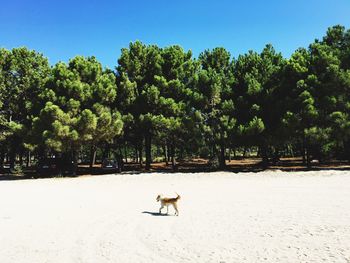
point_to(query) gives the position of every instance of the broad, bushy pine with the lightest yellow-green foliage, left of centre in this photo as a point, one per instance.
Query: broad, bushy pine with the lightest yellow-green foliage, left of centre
(78, 107)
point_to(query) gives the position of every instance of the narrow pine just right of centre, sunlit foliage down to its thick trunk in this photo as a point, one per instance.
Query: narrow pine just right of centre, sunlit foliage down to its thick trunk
(215, 82)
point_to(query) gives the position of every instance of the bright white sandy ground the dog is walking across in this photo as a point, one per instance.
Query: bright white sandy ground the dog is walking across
(224, 217)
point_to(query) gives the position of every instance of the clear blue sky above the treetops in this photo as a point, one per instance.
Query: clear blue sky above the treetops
(63, 29)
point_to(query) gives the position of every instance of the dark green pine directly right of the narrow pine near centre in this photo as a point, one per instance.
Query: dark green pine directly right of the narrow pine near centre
(257, 90)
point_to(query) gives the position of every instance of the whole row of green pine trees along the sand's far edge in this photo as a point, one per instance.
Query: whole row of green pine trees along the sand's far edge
(163, 101)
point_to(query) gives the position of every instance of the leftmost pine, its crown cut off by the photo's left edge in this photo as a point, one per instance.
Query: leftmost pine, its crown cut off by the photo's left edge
(23, 75)
